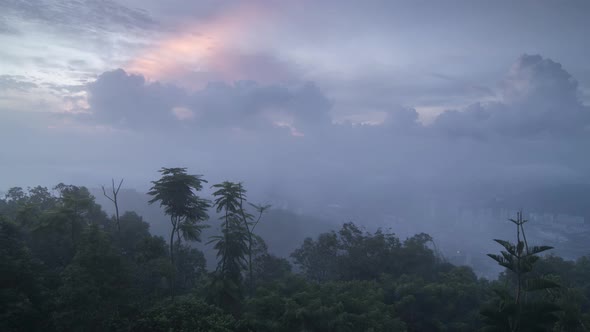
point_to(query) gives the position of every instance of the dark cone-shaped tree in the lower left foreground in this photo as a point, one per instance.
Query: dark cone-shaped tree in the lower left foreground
(94, 294)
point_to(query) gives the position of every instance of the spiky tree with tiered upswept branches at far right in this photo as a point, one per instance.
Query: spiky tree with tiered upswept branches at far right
(529, 307)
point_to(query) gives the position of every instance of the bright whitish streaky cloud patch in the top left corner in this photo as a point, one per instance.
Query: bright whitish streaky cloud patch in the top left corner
(65, 42)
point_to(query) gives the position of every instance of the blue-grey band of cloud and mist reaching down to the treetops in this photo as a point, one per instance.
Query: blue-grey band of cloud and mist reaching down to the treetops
(488, 159)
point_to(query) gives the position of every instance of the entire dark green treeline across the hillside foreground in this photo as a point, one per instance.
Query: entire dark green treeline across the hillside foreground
(67, 266)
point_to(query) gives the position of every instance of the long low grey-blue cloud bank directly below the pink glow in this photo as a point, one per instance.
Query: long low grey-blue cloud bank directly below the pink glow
(129, 101)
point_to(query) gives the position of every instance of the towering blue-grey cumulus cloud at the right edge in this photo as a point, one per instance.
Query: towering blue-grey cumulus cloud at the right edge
(539, 98)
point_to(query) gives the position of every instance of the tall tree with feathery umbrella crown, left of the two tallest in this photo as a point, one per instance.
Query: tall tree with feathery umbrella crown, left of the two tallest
(176, 191)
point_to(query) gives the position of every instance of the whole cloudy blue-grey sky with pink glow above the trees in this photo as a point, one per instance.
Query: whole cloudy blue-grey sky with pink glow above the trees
(306, 99)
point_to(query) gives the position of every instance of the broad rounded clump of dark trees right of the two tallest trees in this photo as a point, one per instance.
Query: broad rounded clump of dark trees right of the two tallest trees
(353, 254)
